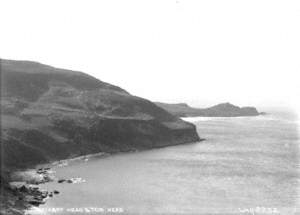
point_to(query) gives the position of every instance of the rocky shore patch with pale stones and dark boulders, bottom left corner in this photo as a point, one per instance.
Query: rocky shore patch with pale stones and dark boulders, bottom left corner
(23, 192)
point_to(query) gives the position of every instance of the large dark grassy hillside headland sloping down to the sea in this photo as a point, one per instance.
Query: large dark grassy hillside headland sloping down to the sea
(50, 114)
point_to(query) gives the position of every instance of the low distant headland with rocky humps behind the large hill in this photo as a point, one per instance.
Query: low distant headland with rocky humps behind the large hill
(220, 110)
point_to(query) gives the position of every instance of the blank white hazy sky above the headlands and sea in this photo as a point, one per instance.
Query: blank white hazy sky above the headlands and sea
(201, 52)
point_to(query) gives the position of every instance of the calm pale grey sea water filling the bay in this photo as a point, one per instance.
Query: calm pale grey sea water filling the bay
(245, 163)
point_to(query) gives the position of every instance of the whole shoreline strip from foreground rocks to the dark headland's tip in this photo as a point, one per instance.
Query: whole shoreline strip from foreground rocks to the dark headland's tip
(25, 183)
